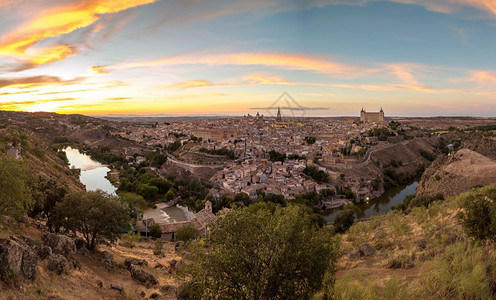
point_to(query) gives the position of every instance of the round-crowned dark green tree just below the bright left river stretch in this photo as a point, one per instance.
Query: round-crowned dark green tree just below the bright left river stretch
(96, 215)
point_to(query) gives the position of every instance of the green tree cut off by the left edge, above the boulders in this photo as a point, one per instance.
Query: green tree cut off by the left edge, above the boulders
(15, 197)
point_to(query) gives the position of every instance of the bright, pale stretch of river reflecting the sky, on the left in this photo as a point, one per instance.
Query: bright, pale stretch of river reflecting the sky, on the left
(92, 172)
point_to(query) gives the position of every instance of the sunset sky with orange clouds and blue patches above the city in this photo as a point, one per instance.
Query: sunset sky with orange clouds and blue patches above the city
(230, 57)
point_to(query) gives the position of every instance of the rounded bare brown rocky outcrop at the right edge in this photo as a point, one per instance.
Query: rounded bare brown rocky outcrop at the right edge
(457, 173)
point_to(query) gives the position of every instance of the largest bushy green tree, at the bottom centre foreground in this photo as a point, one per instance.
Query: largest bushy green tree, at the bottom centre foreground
(262, 253)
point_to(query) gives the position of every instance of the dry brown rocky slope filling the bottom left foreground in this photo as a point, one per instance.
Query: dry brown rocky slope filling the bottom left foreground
(91, 275)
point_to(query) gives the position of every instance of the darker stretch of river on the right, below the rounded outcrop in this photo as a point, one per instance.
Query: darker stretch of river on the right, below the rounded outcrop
(380, 205)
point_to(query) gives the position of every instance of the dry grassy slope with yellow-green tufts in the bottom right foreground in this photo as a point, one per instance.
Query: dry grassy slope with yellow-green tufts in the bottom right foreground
(422, 255)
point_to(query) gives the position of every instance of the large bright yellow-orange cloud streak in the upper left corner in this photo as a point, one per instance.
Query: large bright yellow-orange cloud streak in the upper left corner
(54, 22)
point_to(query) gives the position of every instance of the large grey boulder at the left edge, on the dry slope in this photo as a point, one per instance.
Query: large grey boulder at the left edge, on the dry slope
(15, 255)
